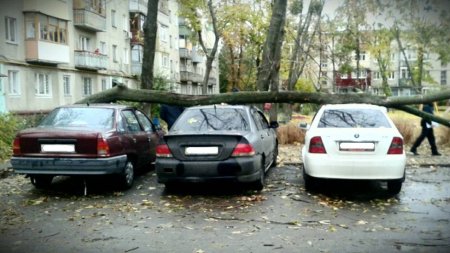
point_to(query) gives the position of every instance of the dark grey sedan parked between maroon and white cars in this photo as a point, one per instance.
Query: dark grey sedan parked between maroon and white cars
(218, 142)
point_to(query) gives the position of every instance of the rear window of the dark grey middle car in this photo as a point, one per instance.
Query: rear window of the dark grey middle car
(212, 119)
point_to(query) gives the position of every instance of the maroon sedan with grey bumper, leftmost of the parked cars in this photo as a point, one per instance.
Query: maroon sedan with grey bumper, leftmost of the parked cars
(96, 139)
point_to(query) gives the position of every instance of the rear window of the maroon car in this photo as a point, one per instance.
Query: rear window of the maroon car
(91, 118)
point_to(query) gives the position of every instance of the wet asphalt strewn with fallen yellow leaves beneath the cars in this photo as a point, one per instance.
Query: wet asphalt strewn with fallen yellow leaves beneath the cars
(341, 217)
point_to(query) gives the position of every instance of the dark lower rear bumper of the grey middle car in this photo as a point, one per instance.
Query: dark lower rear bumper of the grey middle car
(242, 169)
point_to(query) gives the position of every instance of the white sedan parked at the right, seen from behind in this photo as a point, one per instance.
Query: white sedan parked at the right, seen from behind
(353, 141)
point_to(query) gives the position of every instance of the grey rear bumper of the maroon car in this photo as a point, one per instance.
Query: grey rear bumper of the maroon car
(69, 166)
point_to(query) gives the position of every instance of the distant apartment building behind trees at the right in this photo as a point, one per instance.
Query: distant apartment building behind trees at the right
(399, 79)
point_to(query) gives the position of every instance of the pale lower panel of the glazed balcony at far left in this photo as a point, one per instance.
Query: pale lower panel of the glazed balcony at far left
(44, 52)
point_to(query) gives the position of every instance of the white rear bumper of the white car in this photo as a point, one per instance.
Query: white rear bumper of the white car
(370, 168)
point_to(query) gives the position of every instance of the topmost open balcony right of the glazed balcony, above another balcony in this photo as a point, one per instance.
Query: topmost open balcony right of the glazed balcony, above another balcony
(89, 20)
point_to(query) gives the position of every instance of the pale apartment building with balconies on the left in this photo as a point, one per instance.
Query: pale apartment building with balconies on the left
(56, 52)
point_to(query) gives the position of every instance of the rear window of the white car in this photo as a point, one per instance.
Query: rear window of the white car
(351, 118)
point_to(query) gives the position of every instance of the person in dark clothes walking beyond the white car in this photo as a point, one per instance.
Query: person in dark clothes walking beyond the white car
(427, 132)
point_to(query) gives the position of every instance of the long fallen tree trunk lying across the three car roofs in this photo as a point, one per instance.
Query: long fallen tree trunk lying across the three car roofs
(122, 93)
